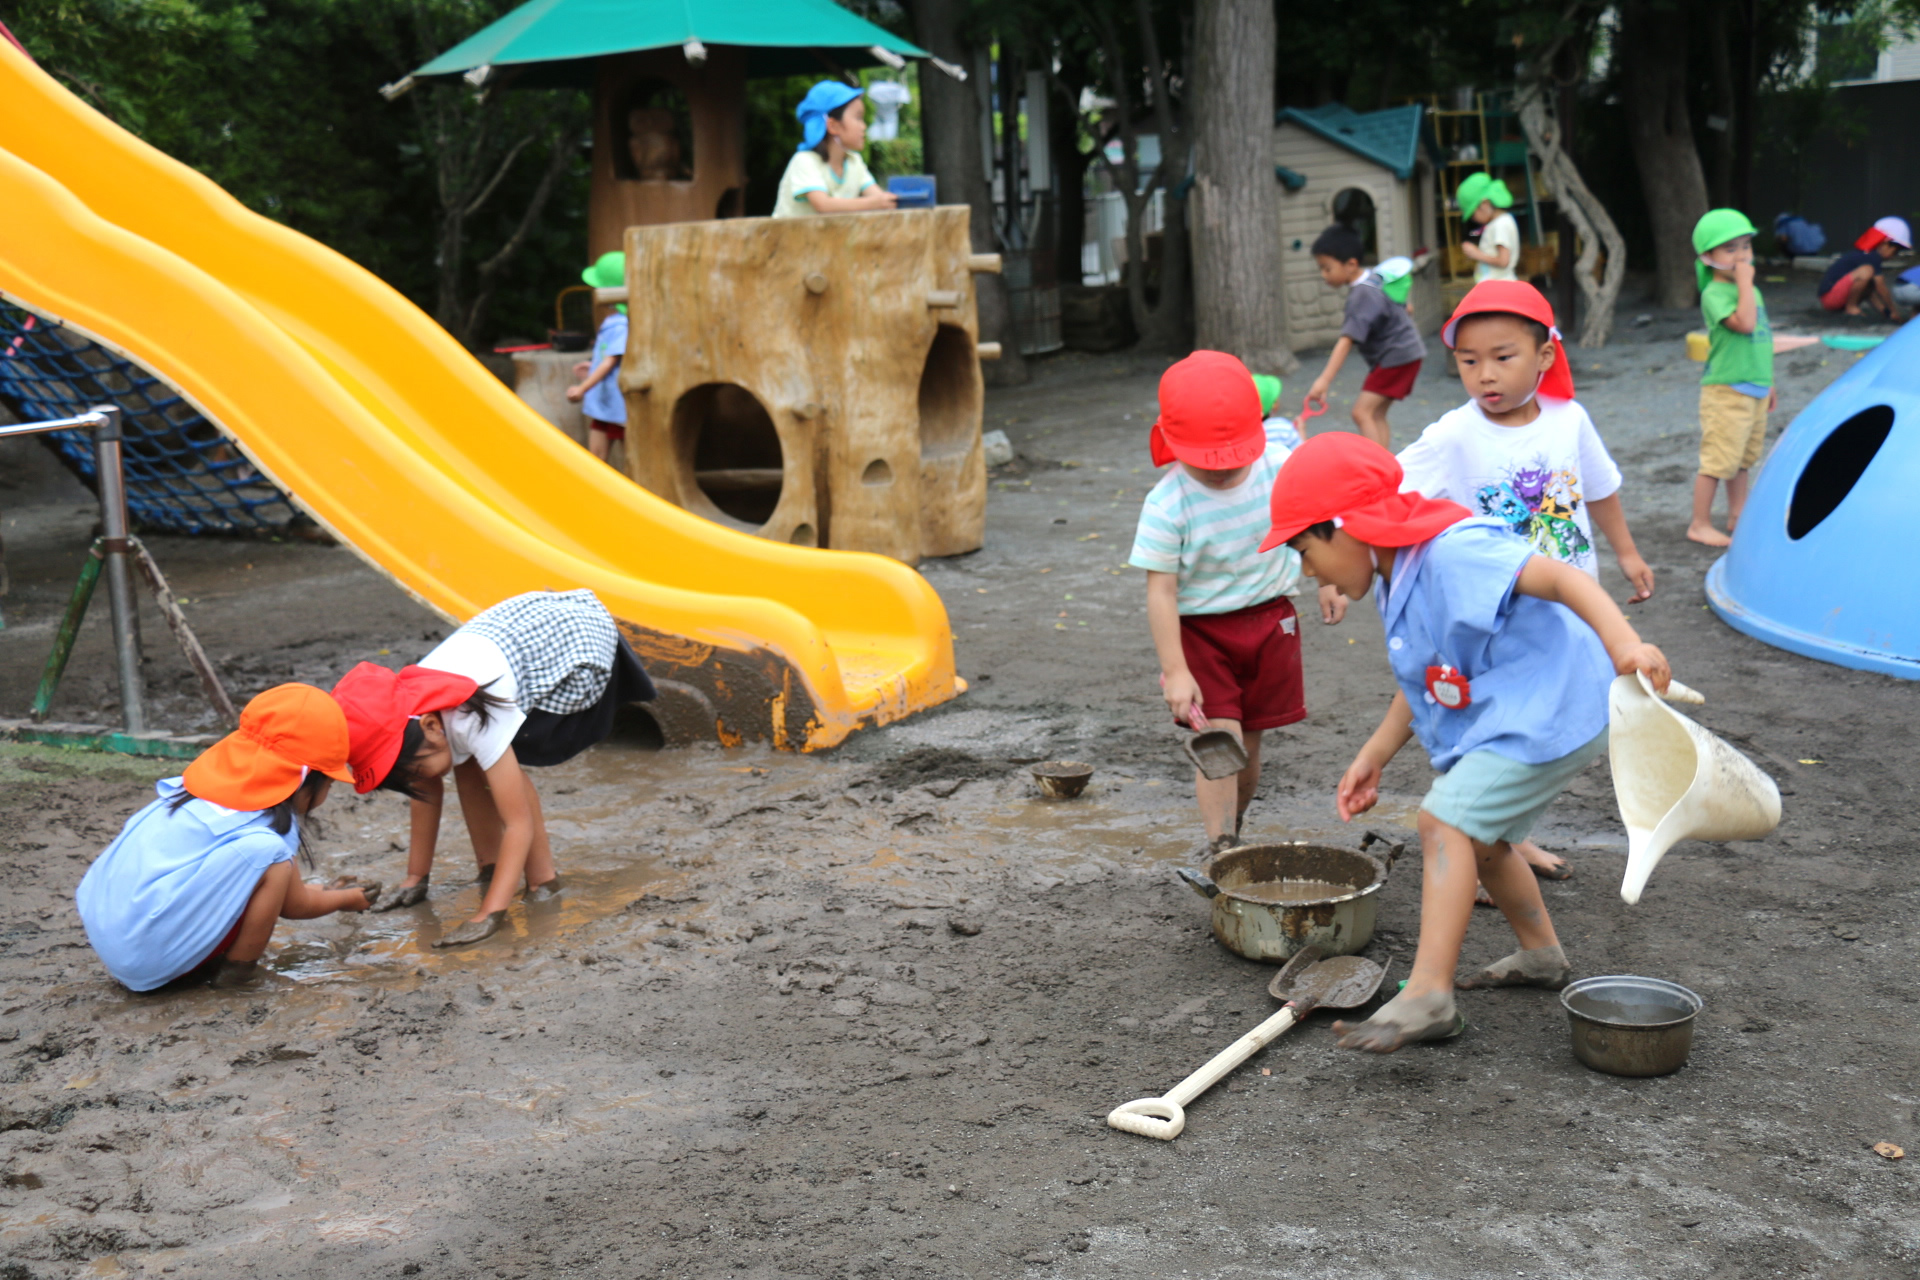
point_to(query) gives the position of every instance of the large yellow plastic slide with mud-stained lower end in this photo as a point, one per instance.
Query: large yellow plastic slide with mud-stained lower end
(410, 452)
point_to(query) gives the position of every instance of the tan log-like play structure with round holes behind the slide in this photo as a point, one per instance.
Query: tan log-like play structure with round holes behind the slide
(813, 381)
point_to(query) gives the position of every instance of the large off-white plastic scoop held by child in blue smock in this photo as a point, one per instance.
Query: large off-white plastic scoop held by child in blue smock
(1677, 782)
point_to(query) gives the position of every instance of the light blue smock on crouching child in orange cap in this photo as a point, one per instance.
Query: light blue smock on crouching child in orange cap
(174, 886)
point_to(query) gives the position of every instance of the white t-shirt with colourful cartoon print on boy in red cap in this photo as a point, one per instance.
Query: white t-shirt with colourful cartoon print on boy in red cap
(1539, 479)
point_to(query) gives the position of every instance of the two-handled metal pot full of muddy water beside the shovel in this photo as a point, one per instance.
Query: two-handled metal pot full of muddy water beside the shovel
(1270, 901)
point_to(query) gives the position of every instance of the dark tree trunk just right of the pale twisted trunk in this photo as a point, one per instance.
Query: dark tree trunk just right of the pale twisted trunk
(1671, 178)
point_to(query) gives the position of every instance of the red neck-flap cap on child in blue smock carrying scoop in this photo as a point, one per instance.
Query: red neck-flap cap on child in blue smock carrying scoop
(1349, 479)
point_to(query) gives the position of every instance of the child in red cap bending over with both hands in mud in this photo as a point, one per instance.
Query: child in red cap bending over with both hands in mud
(529, 682)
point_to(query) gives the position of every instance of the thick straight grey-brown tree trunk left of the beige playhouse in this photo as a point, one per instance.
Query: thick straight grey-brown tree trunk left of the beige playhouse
(1236, 208)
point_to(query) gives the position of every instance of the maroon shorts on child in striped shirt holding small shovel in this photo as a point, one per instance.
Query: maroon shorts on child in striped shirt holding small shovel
(1247, 665)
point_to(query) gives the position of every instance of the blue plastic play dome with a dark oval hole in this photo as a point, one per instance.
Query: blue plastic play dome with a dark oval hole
(1817, 561)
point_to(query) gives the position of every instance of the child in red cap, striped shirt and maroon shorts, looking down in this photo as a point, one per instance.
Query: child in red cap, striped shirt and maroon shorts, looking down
(1224, 628)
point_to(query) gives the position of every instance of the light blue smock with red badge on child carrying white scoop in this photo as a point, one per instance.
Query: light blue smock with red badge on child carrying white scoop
(1537, 673)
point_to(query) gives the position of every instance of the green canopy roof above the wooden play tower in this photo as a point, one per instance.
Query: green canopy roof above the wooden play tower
(554, 43)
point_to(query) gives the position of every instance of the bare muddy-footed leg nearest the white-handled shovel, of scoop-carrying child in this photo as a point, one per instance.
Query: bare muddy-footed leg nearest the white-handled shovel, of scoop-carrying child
(1424, 1010)
